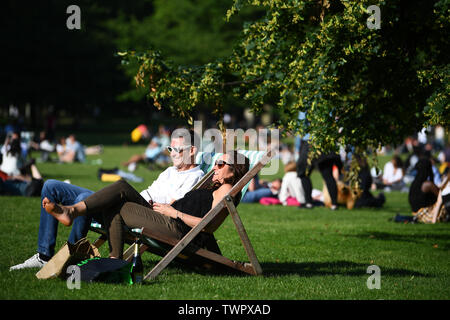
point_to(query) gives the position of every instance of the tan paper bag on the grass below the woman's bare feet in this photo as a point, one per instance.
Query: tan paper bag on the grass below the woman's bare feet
(69, 254)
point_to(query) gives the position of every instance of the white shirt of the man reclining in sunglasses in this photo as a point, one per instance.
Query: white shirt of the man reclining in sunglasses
(172, 184)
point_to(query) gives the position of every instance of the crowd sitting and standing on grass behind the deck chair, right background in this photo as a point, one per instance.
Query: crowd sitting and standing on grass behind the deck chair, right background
(296, 188)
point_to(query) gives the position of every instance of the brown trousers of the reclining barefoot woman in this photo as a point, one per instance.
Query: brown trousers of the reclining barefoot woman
(120, 204)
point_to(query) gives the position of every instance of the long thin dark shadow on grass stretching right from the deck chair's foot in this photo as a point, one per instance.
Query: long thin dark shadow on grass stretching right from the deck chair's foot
(344, 268)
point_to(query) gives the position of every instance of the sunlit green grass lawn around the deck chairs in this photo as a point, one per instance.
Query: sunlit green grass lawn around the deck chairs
(305, 254)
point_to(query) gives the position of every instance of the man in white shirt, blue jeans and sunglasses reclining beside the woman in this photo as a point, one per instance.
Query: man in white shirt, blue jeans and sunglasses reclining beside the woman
(171, 185)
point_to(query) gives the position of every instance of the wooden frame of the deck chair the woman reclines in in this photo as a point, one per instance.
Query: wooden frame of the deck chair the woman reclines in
(184, 250)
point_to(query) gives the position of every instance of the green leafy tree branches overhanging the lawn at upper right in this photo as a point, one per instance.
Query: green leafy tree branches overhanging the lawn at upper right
(358, 86)
